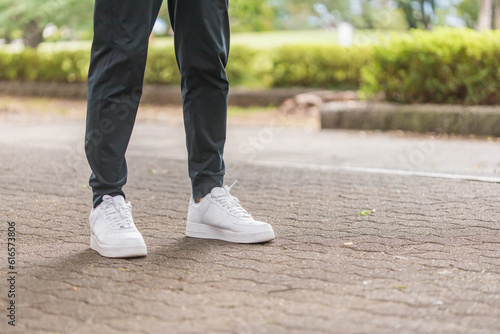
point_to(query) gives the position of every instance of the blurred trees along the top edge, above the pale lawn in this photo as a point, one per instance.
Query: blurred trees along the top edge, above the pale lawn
(34, 21)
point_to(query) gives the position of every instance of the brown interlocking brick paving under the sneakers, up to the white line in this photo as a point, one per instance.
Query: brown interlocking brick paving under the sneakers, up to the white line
(425, 260)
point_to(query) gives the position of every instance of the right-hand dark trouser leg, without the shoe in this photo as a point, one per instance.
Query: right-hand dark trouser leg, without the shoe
(201, 30)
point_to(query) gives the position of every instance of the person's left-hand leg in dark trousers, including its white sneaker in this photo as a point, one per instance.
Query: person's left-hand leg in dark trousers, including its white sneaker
(118, 59)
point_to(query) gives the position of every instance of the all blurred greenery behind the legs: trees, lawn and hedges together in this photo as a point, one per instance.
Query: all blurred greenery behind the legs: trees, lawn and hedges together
(284, 43)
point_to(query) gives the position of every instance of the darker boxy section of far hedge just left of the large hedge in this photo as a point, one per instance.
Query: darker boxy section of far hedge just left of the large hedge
(318, 66)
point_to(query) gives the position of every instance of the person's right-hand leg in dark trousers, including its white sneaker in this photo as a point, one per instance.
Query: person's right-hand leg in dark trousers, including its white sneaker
(201, 29)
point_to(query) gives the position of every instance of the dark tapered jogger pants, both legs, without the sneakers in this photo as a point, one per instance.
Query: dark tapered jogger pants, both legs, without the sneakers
(116, 73)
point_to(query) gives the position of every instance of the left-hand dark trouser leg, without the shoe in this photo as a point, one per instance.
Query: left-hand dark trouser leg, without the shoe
(118, 58)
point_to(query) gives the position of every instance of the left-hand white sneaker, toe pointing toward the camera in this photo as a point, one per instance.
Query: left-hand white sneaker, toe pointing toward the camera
(112, 229)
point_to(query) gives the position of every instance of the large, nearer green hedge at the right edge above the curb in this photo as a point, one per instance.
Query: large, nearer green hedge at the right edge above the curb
(443, 66)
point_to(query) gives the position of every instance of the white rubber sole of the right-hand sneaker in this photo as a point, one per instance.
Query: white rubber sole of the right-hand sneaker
(203, 231)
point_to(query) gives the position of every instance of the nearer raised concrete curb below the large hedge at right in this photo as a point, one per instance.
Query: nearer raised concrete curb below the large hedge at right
(478, 120)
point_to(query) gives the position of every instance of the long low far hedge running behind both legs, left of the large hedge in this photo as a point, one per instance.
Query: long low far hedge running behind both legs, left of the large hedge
(307, 66)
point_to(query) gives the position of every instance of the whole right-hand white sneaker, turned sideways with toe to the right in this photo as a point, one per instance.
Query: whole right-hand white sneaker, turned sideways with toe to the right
(220, 216)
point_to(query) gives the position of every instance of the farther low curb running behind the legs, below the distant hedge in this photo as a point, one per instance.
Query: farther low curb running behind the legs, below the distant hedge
(153, 94)
